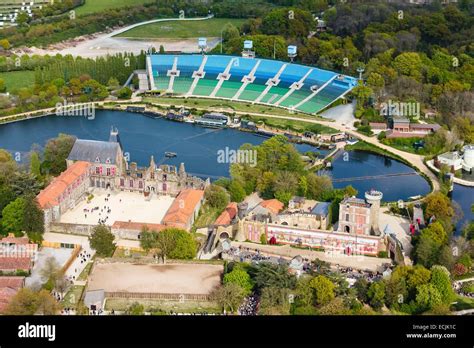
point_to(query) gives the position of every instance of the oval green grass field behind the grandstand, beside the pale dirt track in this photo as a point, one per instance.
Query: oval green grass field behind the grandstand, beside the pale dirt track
(181, 29)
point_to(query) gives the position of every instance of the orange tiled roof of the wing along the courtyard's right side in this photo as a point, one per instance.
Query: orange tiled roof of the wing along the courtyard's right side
(182, 209)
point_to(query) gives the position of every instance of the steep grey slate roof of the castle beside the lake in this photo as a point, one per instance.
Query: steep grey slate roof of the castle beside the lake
(94, 151)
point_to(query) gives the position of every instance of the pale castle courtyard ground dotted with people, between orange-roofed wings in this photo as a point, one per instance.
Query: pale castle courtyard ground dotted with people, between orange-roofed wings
(124, 206)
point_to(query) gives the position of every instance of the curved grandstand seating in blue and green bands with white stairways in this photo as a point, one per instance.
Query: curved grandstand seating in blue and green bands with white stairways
(303, 88)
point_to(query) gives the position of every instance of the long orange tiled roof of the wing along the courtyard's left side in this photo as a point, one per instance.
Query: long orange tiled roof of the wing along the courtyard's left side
(49, 196)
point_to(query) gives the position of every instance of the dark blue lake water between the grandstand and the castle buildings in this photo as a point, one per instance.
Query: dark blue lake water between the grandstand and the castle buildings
(197, 147)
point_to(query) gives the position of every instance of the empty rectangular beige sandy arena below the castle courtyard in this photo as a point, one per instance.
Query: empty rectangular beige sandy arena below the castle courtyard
(151, 278)
